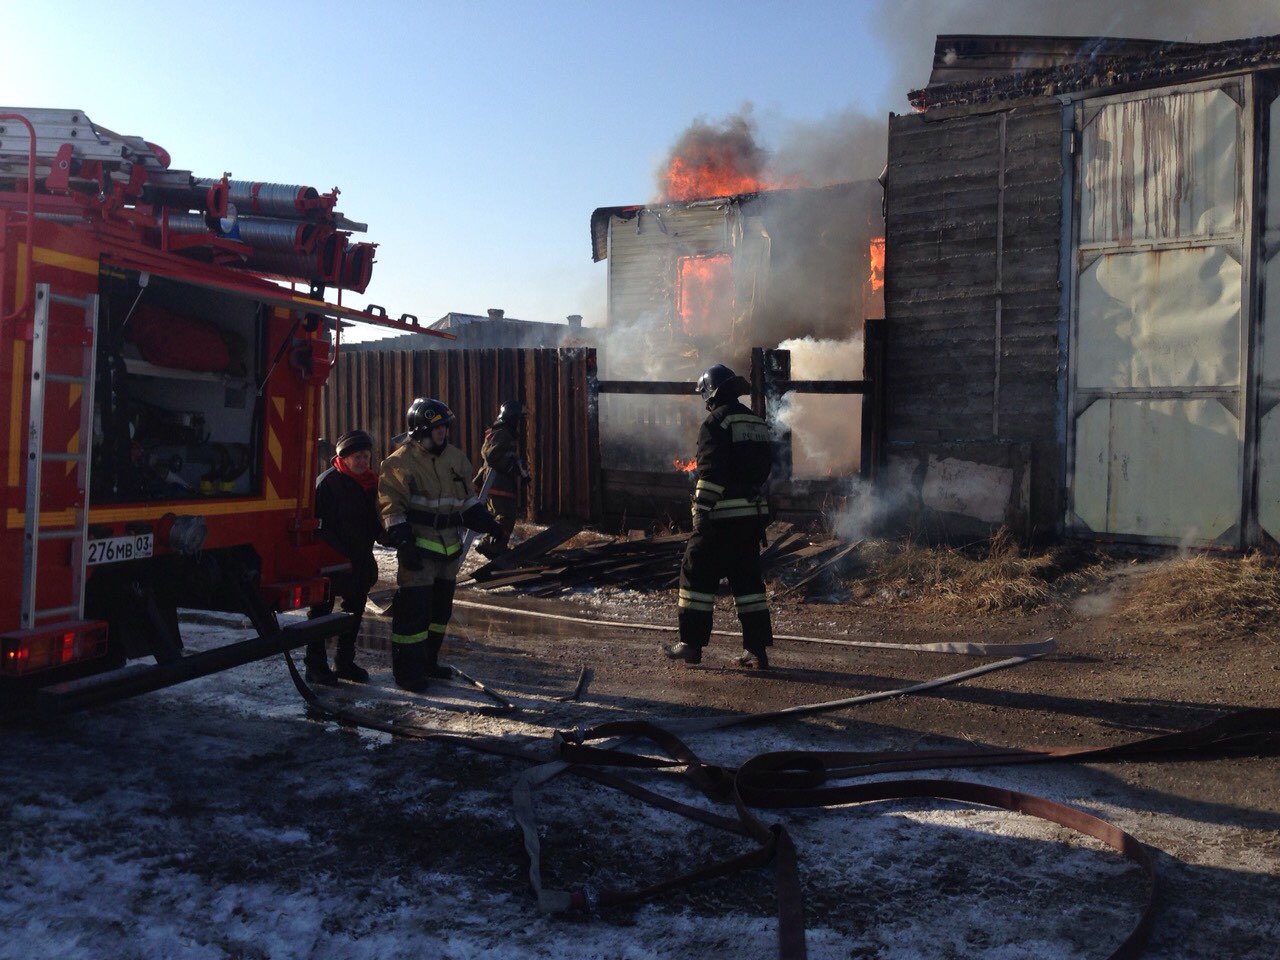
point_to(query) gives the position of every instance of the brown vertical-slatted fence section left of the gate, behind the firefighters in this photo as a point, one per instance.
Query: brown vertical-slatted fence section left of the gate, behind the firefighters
(372, 390)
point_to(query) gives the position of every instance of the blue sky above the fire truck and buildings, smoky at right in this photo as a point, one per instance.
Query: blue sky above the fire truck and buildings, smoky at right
(477, 139)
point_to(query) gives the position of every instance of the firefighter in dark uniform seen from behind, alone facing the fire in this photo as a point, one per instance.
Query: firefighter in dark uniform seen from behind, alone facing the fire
(730, 510)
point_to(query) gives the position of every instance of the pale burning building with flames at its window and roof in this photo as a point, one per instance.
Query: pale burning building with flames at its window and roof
(705, 280)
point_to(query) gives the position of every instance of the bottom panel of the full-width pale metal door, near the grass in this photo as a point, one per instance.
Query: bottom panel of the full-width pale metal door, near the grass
(1136, 449)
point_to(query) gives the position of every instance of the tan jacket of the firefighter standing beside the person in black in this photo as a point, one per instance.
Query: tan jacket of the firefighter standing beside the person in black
(417, 483)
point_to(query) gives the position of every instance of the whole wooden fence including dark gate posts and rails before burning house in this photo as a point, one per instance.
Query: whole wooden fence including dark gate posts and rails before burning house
(561, 391)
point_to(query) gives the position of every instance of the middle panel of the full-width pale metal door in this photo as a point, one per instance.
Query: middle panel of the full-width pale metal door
(1168, 318)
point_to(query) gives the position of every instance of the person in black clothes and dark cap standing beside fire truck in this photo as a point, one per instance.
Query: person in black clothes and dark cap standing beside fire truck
(348, 508)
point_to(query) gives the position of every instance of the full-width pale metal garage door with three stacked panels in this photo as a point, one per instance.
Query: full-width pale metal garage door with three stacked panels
(1156, 438)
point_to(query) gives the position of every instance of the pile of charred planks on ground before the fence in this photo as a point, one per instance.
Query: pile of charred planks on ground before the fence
(542, 566)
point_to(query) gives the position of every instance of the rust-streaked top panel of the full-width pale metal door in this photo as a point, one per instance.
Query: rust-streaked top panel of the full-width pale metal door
(1162, 168)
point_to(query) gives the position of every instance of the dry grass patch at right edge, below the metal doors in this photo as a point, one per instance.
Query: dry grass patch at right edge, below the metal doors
(1231, 592)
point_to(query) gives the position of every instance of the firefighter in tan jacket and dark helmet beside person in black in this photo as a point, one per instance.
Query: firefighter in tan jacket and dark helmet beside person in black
(427, 501)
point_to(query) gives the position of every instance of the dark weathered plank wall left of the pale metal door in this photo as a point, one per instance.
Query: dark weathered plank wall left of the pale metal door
(972, 301)
